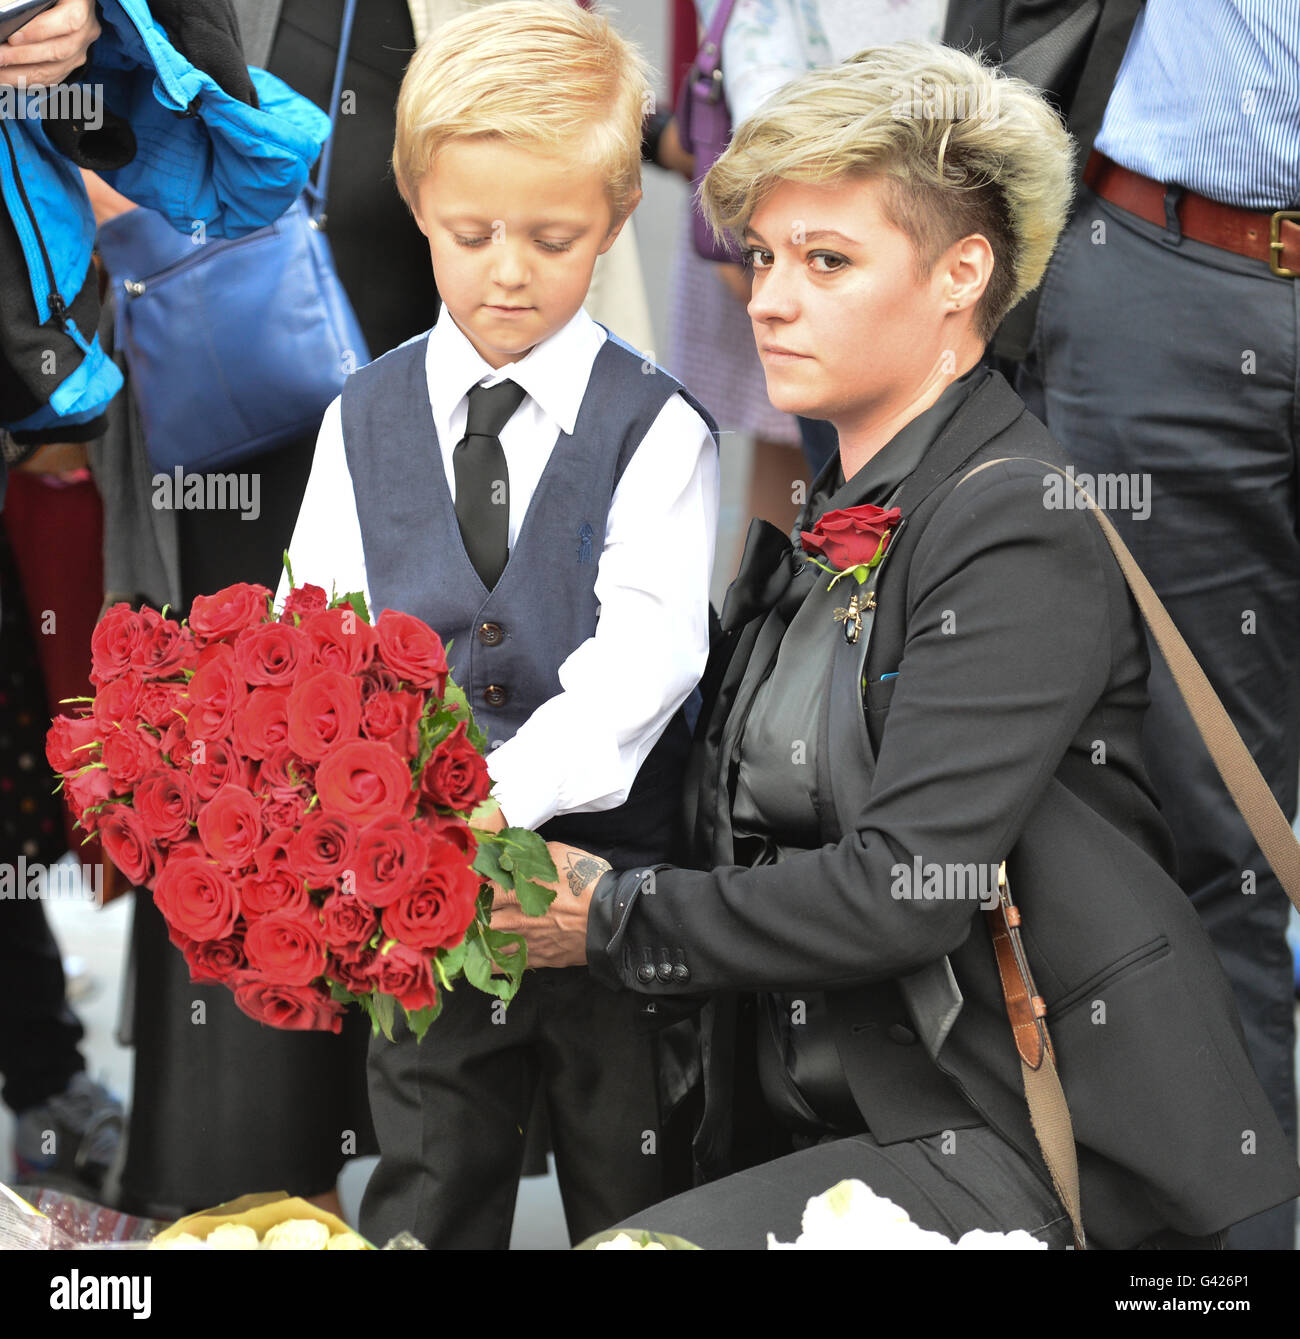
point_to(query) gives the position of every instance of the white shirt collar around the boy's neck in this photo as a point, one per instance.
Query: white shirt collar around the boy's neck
(554, 373)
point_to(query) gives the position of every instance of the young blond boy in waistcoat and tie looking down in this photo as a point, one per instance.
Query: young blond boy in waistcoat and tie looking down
(517, 149)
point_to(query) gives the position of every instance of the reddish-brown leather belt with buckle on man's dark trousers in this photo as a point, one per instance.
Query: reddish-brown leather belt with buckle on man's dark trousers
(1274, 239)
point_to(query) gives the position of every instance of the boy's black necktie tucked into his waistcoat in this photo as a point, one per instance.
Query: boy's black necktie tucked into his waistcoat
(483, 481)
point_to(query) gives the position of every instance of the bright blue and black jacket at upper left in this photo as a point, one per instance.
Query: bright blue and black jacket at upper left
(203, 157)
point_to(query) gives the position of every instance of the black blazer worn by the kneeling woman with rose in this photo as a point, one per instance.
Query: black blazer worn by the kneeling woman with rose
(1009, 730)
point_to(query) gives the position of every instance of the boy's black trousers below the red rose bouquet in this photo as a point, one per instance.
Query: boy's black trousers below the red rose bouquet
(452, 1113)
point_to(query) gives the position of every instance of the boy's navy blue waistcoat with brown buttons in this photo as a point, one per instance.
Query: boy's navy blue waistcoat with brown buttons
(507, 646)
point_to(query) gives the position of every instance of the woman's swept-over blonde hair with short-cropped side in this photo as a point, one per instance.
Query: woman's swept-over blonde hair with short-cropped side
(963, 149)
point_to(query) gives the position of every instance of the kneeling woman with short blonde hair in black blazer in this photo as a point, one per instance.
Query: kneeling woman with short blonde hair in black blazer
(866, 771)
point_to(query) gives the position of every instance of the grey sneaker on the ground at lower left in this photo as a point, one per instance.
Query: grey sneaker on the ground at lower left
(70, 1141)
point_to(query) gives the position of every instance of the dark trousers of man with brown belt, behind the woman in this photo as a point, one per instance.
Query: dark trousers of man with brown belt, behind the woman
(1176, 366)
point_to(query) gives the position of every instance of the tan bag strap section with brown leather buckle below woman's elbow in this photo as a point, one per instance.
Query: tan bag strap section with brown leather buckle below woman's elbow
(1049, 1111)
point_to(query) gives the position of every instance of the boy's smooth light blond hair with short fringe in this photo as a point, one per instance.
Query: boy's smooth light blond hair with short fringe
(542, 74)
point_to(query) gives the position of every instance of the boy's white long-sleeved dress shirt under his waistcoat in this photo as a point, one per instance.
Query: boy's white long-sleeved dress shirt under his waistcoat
(579, 752)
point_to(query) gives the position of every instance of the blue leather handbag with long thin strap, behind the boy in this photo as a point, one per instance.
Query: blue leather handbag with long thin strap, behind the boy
(235, 347)
